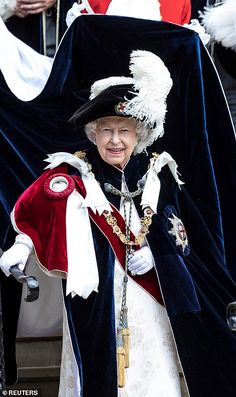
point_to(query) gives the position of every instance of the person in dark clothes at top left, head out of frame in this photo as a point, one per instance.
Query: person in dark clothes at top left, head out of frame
(40, 24)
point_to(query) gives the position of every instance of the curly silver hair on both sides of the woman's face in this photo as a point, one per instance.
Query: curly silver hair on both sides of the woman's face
(143, 135)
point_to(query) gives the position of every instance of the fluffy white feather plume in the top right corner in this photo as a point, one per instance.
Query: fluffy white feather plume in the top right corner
(220, 22)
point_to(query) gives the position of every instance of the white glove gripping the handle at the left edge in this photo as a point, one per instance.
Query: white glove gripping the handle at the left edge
(17, 254)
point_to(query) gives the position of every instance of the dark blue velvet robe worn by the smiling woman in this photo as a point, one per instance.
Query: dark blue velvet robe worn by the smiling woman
(195, 284)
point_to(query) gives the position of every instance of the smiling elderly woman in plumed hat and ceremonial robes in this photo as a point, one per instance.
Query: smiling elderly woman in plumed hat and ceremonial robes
(108, 222)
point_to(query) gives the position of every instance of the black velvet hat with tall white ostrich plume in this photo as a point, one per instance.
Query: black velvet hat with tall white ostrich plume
(142, 96)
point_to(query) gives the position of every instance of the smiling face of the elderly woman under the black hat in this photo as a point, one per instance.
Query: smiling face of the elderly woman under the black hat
(116, 138)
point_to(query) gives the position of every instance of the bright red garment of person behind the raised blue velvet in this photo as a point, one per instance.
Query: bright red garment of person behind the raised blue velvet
(175, 11)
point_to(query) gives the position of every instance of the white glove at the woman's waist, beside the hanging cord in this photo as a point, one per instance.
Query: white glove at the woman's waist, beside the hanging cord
(141, 262)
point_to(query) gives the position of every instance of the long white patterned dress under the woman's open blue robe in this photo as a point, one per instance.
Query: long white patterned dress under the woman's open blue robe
(153, 370)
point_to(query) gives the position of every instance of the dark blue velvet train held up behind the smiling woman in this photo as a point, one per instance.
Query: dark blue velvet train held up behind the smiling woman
(198, 134)
